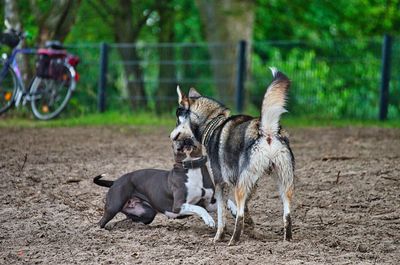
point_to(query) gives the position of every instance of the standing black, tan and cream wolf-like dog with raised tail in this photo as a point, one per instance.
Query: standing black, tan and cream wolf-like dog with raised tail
(240, 148)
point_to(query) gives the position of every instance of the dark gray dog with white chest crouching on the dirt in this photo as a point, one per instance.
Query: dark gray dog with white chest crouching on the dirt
(185, 190)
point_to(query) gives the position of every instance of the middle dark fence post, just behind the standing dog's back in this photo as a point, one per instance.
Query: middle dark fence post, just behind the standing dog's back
(241, 75)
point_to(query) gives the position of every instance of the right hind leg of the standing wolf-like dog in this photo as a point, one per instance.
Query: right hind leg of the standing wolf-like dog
(284, 169)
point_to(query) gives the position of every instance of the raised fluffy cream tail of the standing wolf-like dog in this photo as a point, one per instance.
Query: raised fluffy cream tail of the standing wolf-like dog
(274, 103)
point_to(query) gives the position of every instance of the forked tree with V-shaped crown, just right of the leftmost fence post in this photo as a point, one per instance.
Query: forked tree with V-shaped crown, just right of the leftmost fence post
(127, 18)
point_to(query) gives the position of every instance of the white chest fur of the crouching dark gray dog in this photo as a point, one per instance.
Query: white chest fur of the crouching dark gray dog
(194, 186)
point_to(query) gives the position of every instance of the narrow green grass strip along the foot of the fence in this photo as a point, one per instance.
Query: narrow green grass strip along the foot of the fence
(168, 120)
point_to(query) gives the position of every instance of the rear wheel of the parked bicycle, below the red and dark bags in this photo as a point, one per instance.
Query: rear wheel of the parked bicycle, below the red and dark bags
(49, 96)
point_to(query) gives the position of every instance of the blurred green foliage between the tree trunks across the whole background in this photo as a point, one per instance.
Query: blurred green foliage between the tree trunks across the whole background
(335, 67)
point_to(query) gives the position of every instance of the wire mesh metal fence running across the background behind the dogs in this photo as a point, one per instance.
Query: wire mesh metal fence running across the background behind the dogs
(338, 79)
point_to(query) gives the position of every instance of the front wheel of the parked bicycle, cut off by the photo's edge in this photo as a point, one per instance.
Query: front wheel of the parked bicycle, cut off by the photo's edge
(8, 87)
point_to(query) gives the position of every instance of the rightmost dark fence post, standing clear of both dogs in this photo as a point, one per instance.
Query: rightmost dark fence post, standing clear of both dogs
(385, 78)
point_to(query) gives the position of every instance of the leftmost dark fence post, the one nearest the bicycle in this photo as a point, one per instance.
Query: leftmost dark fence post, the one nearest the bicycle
(101, 93)
